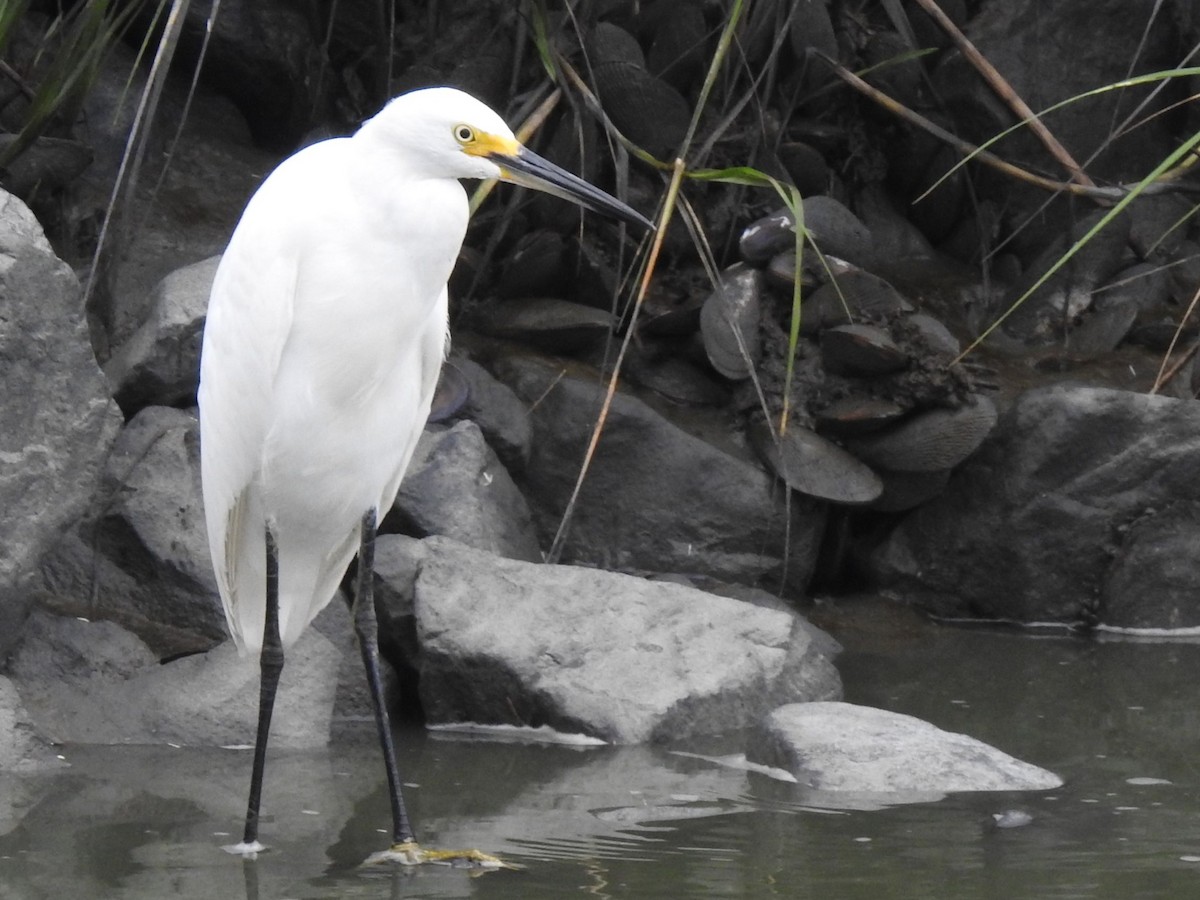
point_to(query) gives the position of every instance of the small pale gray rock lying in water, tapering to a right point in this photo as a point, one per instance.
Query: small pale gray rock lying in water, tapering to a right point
(845, 748)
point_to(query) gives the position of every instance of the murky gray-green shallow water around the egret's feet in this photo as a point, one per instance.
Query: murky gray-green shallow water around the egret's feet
(1117, 718)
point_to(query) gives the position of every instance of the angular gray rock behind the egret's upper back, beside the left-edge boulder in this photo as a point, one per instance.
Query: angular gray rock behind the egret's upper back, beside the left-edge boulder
(160, 364)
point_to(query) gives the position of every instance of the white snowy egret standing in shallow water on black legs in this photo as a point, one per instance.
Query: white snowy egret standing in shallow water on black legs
(326, 332)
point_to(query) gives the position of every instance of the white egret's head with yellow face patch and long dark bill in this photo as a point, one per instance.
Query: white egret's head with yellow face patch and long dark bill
(448, 134)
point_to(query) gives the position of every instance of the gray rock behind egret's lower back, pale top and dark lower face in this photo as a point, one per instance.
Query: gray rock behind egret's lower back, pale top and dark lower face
(141, 557)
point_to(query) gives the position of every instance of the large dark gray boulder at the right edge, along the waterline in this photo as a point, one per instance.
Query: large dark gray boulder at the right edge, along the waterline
(1054, 518)
